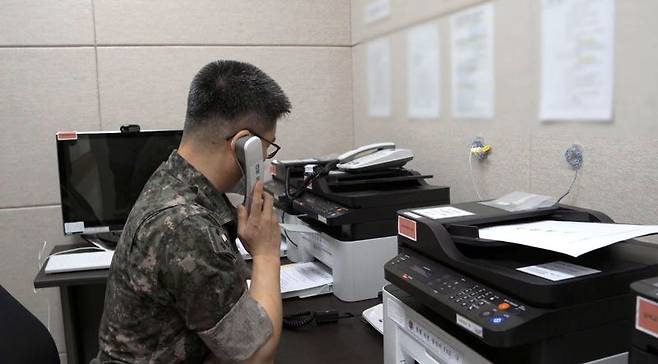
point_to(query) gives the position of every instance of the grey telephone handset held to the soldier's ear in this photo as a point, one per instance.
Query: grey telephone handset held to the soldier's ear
(249, 151)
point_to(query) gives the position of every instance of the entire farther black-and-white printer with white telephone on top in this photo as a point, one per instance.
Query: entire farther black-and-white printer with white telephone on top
(348, 209)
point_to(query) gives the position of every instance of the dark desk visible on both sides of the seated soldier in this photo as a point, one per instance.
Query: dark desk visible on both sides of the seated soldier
(348, 341)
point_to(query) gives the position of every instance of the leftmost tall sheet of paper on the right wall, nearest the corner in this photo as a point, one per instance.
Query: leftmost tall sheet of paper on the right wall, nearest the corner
(379, 78)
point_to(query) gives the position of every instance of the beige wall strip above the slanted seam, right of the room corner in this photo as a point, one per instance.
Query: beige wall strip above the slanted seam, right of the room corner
(404, 13)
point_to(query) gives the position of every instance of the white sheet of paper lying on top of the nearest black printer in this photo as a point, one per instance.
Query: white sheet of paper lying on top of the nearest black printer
(568, 237)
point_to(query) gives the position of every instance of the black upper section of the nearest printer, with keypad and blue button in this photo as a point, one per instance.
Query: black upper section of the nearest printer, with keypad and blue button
(510, 316)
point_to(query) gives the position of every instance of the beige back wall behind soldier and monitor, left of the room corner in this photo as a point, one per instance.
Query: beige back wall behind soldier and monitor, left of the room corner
(95, 65)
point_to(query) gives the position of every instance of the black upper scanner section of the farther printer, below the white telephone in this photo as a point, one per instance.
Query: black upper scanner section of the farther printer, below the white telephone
(351, 206)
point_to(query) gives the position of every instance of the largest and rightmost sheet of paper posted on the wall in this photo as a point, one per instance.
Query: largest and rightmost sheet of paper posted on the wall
(577, 46)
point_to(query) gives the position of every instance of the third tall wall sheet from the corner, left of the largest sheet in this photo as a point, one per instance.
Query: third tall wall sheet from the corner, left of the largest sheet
(472, 62)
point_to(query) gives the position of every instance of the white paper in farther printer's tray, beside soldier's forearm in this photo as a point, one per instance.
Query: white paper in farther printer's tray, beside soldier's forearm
(300, 276)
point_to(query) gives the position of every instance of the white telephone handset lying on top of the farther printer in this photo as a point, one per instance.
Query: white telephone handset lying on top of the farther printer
(374, 156)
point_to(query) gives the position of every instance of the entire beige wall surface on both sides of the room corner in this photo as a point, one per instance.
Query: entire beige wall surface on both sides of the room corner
(90, 65)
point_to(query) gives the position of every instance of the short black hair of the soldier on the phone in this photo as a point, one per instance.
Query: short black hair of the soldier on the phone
(225, 92)
